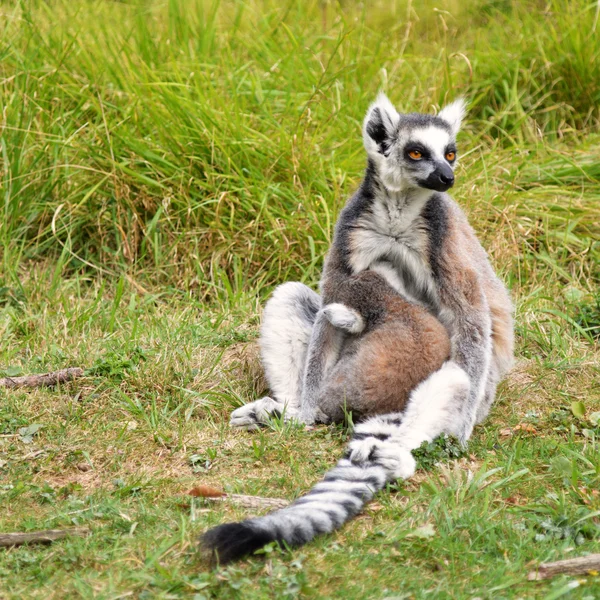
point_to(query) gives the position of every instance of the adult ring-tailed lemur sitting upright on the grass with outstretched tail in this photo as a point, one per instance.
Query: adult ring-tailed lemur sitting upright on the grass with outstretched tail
(402, 225)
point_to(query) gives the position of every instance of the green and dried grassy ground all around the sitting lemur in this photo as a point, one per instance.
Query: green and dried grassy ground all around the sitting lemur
(164, 166)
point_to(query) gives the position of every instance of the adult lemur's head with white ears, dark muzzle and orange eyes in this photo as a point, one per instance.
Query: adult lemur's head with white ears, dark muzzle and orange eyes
(413, 150)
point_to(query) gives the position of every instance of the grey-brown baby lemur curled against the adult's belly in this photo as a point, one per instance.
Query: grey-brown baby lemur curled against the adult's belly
(396, 345)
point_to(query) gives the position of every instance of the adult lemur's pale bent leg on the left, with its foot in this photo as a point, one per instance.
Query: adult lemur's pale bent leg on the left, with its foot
(287, 324)
